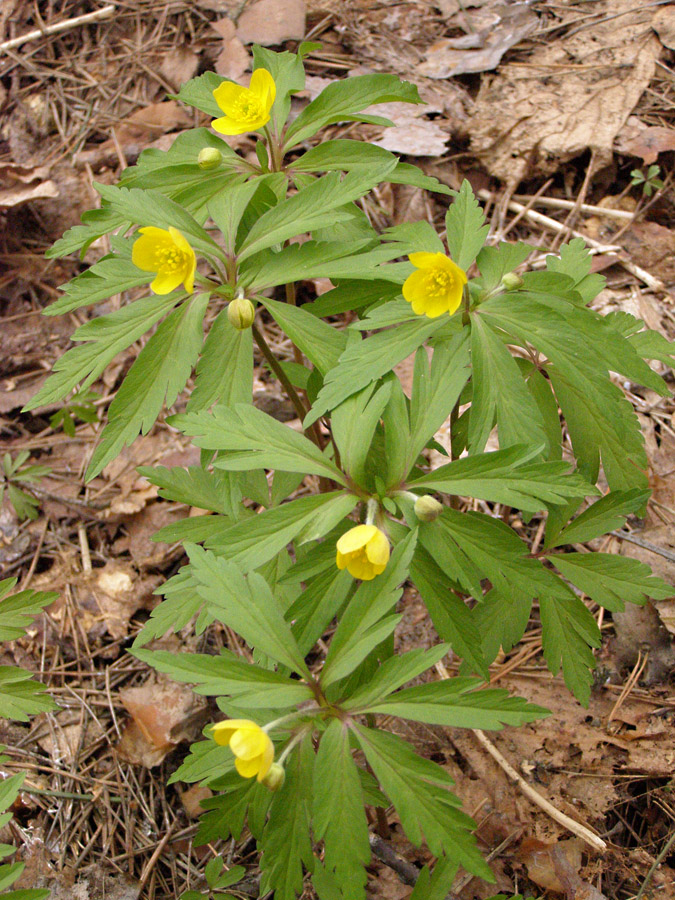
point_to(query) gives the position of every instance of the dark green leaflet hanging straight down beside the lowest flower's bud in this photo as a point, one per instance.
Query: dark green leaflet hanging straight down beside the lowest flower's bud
(286, 842)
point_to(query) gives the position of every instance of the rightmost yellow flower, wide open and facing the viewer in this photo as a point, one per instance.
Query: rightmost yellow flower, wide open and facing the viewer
(437, 285)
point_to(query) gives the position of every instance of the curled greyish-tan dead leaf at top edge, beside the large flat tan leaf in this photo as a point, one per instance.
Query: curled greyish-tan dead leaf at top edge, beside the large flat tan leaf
(484, 44)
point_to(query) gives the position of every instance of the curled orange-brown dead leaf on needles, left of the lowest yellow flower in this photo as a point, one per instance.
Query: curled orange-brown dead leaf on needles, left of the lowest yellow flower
(163, 714)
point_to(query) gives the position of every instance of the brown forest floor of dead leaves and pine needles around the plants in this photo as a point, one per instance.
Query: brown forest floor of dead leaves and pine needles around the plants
(547, 107)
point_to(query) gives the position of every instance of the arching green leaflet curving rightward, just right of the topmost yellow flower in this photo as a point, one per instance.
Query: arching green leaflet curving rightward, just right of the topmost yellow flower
(342, 101)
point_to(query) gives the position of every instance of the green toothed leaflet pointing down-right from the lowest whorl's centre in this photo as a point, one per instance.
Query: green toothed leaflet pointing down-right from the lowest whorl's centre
(418, 788)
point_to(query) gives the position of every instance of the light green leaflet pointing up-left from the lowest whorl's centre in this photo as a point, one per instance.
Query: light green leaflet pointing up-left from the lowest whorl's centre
(247, 605)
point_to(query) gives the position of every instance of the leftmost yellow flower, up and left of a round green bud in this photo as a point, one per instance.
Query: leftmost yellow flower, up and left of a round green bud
(168, 254)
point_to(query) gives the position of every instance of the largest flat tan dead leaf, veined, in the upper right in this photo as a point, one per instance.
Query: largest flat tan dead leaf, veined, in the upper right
(571, 95)
